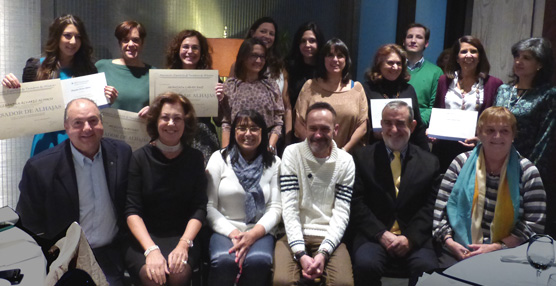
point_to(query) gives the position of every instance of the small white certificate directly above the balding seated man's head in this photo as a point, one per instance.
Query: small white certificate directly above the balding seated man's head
(89, 86)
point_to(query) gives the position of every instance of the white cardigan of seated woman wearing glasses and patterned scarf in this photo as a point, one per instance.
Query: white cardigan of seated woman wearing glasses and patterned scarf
(226, 197)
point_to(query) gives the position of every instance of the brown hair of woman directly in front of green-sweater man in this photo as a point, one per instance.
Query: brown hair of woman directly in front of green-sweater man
(375, 75)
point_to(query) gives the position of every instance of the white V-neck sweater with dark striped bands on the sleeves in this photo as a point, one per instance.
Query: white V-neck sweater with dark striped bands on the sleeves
(315, 197)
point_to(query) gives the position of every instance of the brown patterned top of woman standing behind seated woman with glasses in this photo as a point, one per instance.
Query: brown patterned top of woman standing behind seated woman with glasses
(262, 95)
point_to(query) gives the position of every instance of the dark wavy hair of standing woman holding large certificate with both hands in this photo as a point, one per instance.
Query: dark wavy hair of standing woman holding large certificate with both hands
(173, 60)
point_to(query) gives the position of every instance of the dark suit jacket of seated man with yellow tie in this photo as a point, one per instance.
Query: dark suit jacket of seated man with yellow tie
(374, 206)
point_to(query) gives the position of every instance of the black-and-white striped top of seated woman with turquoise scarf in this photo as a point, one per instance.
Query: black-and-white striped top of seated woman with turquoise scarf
(532, 205)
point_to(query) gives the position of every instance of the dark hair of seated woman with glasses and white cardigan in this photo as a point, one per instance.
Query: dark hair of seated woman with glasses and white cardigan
(241, 117)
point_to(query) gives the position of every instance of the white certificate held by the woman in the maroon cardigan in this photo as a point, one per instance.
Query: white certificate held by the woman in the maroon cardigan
(452, 124)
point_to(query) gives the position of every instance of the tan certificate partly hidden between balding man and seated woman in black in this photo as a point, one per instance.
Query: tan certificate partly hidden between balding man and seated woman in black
(126, 126)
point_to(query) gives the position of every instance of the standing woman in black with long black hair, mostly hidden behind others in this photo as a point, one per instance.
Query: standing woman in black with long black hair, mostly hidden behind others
(302, 60)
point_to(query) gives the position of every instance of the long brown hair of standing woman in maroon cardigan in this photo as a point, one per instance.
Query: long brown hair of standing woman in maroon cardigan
(482, 68)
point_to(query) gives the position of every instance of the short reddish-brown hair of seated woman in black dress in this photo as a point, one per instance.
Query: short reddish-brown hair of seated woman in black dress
(190, 120)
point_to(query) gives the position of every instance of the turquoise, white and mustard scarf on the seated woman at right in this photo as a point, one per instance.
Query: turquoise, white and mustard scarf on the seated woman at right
(465, 206)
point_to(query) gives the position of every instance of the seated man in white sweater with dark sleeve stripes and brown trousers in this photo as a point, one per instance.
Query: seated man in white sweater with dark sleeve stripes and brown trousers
(316, 180)
